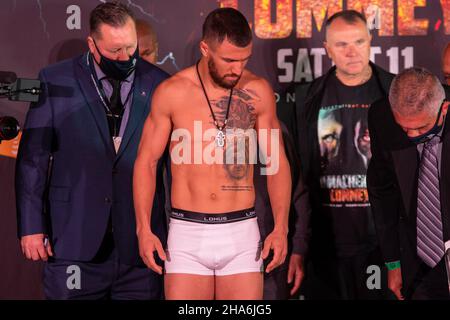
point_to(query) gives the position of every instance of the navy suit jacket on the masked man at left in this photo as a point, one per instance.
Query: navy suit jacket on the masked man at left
(69, 178)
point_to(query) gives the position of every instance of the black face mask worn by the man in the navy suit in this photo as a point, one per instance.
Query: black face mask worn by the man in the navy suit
(116, 69)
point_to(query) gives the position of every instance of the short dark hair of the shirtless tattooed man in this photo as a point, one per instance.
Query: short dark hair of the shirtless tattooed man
(227, 23)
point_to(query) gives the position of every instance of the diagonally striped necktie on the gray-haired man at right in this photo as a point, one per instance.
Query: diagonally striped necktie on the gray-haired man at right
(430, 244)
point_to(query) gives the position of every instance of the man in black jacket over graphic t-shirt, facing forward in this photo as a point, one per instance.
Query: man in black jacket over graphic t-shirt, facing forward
(334, 147)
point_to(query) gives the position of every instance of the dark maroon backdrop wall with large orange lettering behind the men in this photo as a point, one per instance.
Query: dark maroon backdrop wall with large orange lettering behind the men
(287, 47)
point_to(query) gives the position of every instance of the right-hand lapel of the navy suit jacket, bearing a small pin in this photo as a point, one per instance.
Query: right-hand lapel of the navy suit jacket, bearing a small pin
(138, 107)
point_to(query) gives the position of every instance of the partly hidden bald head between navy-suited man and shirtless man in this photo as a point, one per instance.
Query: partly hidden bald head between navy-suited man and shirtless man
(147, 41)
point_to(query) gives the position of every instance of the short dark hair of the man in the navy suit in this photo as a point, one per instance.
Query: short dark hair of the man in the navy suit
(114, 14)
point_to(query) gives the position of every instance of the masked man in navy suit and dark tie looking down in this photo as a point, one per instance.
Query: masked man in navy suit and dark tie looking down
(75, 162)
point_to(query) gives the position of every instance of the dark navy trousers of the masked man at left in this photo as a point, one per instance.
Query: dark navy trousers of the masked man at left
(105, 277)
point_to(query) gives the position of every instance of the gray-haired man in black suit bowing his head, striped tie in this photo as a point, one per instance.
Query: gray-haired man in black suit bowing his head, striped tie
(409, 186)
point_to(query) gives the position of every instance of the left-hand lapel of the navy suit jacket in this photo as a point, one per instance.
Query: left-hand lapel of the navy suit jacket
(83, 74)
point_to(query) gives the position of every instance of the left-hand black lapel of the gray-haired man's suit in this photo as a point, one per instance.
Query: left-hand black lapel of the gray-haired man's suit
(406, 163)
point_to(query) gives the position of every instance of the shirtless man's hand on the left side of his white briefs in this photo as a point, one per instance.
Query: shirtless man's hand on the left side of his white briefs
(148, 243)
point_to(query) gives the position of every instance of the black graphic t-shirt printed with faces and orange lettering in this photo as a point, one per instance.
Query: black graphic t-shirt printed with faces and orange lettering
(345, 153)
